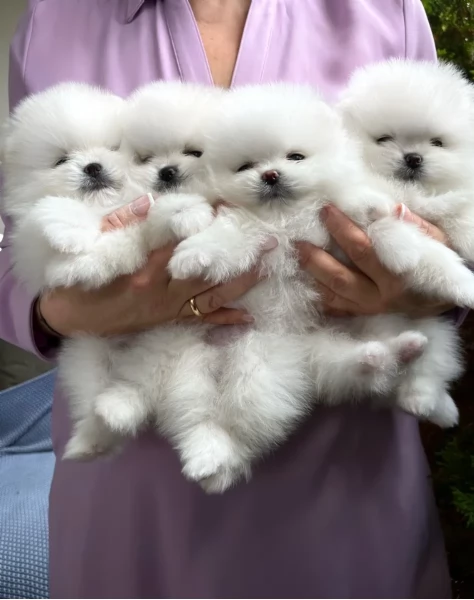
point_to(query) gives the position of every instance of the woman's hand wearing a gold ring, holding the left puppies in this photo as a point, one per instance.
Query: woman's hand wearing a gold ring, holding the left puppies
(137, 302)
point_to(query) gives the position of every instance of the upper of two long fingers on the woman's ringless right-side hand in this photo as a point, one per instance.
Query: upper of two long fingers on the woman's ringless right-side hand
(354, 243)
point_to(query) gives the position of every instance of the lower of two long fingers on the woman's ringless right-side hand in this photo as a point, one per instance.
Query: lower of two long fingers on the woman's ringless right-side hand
(336, 277)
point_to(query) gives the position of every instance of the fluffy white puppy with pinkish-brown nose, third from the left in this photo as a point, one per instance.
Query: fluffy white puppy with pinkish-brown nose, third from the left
(279, 154)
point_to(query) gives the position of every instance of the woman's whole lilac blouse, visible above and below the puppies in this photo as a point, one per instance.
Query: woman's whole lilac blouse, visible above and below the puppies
(344, 509)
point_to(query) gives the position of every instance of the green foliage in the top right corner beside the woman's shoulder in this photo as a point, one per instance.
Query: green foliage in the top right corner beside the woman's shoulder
(452, 22)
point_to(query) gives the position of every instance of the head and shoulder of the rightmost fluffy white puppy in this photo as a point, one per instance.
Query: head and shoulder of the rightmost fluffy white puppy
(415, 121)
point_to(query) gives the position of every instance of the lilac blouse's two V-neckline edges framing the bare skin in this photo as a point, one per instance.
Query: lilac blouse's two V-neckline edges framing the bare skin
(189, 49)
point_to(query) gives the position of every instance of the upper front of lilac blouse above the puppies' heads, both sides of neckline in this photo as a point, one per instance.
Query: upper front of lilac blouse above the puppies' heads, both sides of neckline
(317, 42)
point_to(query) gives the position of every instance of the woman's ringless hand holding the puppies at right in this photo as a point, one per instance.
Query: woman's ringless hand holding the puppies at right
(373, 290)
